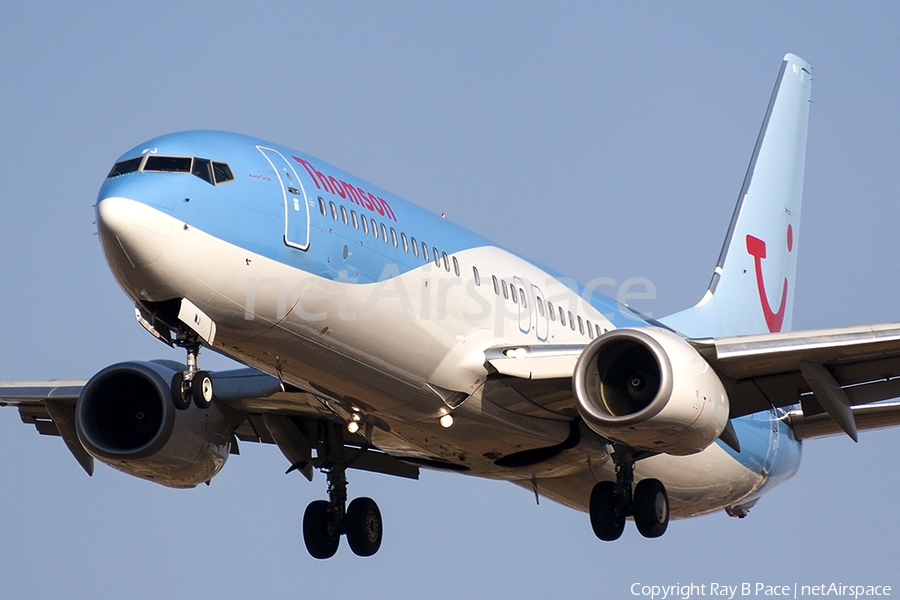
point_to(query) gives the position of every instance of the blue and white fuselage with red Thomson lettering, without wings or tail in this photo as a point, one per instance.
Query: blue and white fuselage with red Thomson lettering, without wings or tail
(385, 310)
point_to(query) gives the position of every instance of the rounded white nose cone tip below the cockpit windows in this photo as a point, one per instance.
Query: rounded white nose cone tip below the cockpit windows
(133, 229)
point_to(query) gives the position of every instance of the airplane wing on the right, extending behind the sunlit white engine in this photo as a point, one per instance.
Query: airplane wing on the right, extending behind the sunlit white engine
(836, 375)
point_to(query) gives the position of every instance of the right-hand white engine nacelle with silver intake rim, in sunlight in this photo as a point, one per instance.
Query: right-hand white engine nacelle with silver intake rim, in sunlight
(649, 389)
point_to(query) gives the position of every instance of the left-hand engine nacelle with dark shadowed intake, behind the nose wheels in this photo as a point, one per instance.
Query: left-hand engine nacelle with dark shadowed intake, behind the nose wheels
(125, 418)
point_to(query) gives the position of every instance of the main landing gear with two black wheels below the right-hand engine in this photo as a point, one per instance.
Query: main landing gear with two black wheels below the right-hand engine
(611, 502)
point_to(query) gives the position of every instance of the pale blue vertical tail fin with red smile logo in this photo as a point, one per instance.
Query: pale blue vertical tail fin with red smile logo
(752, 288)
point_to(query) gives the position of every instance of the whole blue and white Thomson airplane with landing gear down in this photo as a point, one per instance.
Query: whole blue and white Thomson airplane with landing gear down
(378, 336)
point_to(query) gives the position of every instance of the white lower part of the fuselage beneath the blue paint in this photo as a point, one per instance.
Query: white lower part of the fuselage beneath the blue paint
(373, 347)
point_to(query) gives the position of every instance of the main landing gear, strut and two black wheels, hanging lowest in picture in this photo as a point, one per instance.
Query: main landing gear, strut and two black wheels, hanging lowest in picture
(324, 521)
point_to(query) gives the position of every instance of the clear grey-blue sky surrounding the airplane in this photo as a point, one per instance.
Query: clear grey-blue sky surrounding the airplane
(601, 139)
